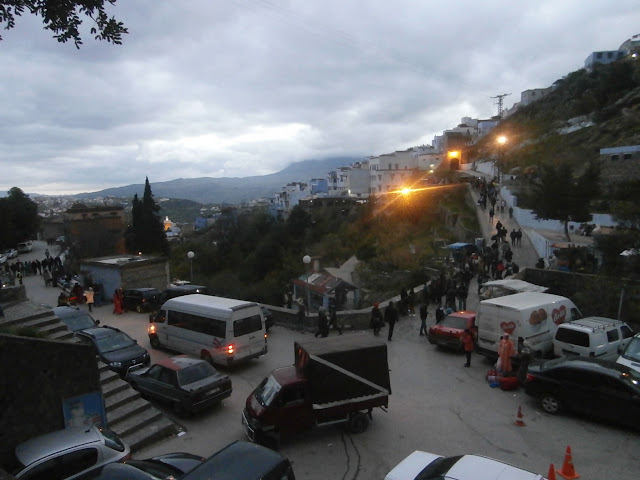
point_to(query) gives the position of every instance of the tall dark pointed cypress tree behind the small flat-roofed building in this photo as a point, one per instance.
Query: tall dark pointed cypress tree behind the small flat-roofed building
(146, 232)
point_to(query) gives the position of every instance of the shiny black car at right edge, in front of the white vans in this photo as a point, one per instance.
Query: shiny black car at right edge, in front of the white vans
(594, 387)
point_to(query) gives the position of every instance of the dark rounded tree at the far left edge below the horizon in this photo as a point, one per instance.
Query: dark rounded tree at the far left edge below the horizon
(19, 217)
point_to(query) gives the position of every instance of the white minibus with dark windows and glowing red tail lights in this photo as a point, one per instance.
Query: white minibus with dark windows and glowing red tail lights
(220, 330)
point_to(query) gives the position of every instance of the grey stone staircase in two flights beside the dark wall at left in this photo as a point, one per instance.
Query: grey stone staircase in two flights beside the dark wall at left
(134, 419)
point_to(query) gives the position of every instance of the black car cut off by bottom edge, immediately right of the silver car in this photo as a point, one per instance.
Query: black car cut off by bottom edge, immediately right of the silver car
(166, 467)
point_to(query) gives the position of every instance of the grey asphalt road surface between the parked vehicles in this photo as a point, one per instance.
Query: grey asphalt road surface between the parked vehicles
(436, 405)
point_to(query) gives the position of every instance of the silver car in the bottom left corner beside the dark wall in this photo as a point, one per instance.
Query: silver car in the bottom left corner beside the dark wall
(68, 453)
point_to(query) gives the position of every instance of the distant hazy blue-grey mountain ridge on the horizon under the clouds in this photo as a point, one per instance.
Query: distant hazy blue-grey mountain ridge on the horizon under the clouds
(230, 190)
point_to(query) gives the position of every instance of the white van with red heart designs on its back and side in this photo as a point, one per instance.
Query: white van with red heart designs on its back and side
(533, 316)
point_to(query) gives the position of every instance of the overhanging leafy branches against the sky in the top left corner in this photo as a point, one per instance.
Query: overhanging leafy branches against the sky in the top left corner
(63, 18)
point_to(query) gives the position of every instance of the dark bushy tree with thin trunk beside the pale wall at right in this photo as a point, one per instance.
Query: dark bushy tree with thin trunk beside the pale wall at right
(558, 194)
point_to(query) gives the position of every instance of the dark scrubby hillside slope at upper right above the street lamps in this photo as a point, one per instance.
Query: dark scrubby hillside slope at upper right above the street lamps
(586, 111)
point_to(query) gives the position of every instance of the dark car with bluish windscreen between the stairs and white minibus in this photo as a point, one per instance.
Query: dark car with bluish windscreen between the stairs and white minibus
(115, 348)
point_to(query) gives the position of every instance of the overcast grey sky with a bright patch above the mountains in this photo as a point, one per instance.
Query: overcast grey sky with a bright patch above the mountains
(234, 88)
